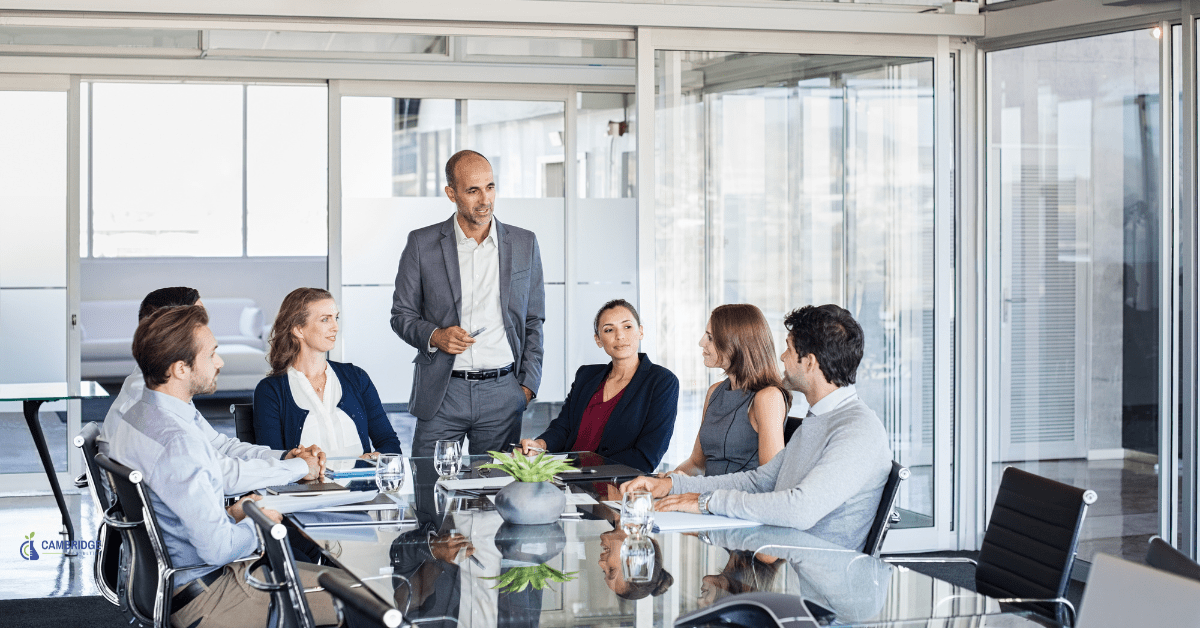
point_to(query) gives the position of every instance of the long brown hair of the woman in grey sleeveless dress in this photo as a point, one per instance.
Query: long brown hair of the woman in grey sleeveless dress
(741, 333)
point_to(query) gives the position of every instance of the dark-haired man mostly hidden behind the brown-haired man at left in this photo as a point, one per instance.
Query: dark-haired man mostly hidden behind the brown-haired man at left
(244, 468)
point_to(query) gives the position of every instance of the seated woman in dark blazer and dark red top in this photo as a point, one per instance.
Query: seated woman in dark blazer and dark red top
(625, 410)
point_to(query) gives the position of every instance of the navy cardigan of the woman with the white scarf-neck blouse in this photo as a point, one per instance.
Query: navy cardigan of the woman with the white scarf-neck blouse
(279, 420)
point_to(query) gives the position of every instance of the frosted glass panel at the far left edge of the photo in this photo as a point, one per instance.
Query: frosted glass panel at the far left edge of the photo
(33, 265)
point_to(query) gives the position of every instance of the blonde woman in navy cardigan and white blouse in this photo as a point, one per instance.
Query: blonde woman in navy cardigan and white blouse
(313, 400)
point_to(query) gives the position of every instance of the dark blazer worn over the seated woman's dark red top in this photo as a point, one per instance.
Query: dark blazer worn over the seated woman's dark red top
(640, 428)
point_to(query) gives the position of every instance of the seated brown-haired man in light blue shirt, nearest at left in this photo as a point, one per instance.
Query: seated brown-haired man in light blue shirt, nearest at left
(164, 438)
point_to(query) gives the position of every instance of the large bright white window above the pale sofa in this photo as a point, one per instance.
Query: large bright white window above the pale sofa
(205, 170)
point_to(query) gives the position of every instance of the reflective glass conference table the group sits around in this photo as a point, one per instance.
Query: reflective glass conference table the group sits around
(440, 554)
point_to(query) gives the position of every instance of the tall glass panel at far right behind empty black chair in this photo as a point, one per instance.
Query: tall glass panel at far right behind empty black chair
(1076, 175)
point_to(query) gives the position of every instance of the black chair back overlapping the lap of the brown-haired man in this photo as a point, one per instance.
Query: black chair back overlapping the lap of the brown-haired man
(289, 605)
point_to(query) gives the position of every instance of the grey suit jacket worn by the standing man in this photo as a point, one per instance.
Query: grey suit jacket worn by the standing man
(429, 297)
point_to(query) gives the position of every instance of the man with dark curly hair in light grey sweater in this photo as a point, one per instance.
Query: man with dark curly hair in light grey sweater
(830, 479)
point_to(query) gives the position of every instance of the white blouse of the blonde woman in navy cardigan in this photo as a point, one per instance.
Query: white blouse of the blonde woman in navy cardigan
(327, 426)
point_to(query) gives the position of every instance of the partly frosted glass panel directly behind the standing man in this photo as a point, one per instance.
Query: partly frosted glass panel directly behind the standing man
(394, 154)
